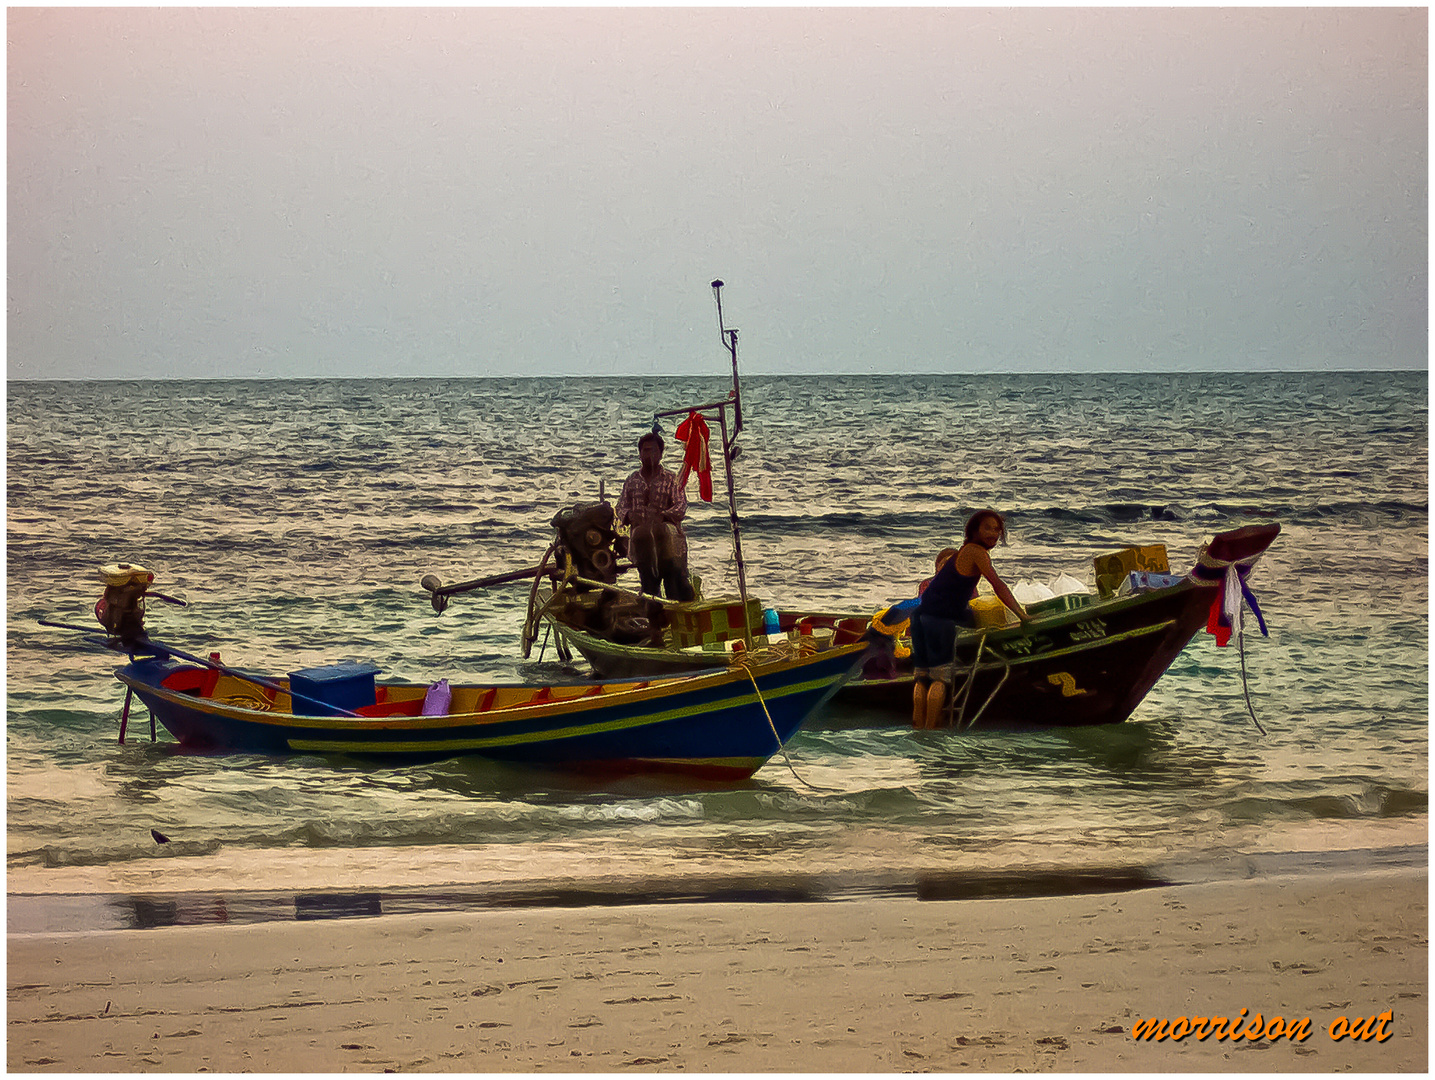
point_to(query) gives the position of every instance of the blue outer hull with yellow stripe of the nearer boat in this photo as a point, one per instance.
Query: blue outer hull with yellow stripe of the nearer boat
(712, 725)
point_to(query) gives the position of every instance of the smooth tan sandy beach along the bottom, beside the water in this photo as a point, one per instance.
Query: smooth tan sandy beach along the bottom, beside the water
(1051, 985)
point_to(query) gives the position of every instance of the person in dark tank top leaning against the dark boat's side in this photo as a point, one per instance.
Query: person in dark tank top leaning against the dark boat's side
(946, 605)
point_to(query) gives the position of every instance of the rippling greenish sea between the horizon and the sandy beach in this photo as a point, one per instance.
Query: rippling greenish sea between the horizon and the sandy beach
(296, 520)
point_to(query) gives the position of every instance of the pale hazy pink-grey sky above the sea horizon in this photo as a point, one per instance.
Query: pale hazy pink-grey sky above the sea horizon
(529, 191)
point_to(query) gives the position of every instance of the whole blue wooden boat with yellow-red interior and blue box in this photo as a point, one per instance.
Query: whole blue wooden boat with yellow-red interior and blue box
(720, 725)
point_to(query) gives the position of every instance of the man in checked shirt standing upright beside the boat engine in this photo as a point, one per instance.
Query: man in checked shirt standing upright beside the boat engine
(654, 507)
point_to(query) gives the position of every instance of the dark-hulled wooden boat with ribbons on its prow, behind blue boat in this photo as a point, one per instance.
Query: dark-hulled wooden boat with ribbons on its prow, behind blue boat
(1088, 666)
